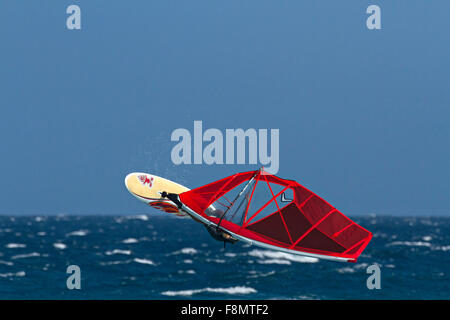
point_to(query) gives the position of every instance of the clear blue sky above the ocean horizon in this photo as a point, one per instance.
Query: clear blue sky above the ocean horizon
(363, 115)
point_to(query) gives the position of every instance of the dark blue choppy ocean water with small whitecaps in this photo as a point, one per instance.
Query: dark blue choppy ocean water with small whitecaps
(161, 257)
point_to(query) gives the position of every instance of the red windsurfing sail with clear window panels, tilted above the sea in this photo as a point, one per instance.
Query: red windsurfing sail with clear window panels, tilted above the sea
(278, 214)
